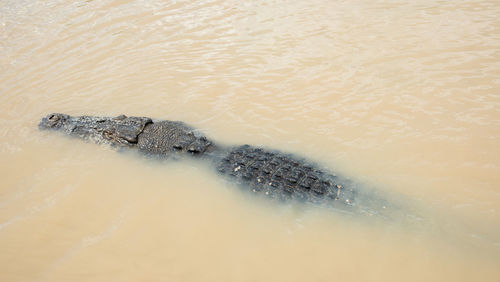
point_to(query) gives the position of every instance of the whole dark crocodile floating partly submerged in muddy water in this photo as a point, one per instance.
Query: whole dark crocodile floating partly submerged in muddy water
(268, 172)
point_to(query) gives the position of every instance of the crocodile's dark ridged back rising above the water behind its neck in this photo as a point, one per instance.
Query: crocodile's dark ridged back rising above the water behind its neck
(279, 175)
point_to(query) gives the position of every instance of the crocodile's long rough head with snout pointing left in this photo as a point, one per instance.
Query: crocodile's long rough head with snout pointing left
(121, 130)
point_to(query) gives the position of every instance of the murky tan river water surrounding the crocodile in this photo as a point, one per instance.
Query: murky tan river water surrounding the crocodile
(401, 95)
